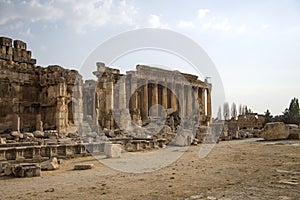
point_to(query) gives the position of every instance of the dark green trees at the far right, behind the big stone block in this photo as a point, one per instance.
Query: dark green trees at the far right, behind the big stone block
(290, 115)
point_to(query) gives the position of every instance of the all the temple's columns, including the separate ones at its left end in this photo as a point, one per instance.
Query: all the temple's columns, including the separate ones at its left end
(142, 94)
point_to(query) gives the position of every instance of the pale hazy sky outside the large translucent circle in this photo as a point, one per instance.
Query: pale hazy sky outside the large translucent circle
(255, 45)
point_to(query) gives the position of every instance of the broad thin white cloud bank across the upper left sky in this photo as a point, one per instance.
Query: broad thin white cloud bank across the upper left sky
(80, 15)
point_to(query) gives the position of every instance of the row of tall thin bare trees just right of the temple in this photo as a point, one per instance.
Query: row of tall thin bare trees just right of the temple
(229, 113)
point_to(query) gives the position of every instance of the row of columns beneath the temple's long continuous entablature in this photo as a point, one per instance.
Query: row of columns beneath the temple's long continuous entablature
(183, 97)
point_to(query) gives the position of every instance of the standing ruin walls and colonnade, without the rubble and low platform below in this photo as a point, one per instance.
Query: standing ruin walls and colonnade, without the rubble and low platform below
(35, 98)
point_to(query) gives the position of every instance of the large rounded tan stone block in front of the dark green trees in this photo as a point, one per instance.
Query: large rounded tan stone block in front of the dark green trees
(275, 131)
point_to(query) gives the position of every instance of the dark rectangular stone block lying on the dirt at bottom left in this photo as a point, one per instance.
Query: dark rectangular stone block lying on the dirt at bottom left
(26, 170)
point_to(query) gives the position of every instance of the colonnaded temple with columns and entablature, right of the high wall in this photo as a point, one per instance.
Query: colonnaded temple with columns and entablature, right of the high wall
(137, 95)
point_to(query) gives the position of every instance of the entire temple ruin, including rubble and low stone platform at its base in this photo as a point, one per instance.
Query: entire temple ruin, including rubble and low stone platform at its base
(51, 112)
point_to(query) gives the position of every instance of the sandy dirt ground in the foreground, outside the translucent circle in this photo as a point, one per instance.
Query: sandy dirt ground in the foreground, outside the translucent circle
(240, 169)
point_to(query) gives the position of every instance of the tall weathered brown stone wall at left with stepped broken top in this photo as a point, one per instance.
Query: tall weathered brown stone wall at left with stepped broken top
(34, 97)
